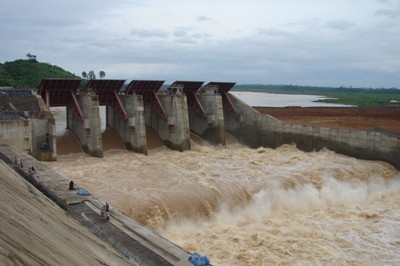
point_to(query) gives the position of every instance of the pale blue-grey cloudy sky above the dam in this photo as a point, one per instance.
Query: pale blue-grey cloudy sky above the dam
(301, 42)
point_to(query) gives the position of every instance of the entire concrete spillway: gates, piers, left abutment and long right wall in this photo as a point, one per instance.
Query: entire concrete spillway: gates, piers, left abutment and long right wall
(185, 106)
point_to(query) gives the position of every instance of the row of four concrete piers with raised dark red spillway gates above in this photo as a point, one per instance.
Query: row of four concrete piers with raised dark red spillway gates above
(140, 104)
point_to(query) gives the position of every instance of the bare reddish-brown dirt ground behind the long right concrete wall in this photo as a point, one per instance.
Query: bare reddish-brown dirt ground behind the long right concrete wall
(347, 118)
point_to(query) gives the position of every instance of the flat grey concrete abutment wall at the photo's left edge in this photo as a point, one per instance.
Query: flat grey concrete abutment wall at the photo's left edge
(17, 133)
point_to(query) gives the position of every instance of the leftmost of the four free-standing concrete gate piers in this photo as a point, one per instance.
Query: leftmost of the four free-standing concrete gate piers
(88, 131)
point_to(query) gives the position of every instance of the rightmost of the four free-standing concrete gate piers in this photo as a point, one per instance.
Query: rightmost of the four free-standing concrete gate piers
(211, 128)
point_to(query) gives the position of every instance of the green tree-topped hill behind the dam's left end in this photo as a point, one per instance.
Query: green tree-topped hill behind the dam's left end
(29, 73)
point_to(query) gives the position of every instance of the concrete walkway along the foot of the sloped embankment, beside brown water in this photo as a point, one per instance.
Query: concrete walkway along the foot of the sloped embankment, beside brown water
(135, 242)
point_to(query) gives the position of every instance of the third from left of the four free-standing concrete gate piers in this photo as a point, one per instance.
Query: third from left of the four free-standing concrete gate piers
(174, 131)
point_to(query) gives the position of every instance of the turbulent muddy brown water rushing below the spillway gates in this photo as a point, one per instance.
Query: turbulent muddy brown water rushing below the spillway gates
(242, 206)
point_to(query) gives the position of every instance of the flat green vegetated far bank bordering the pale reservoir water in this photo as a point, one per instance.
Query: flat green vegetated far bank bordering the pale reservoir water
(361, 97)
